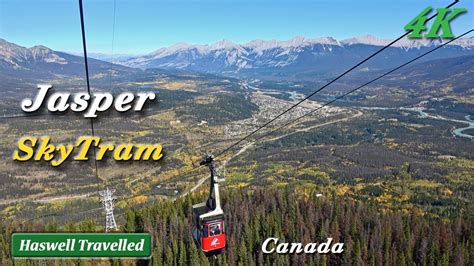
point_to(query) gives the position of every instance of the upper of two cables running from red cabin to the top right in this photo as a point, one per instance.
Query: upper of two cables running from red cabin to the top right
(323, 87)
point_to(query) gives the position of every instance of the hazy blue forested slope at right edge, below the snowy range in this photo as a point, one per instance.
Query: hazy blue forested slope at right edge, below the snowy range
(437, 78)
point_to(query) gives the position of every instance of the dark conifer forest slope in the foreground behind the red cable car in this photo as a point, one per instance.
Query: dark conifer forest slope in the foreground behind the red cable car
(371, 235)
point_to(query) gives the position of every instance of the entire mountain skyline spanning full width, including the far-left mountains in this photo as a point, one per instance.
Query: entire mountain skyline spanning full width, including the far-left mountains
(299, 57)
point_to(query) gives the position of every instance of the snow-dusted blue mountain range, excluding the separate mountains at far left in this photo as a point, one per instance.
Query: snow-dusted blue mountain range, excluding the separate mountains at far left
(298, 57)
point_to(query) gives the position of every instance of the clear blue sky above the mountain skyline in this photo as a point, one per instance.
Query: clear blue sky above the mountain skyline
(144, 26)
